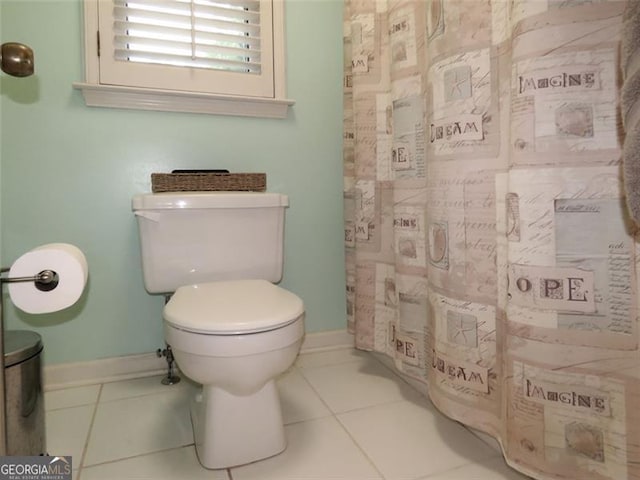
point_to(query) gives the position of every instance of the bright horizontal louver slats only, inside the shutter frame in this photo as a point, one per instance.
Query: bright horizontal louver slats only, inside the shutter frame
(200, 34)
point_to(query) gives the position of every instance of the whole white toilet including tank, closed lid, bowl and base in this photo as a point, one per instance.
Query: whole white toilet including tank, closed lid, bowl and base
(218, 255)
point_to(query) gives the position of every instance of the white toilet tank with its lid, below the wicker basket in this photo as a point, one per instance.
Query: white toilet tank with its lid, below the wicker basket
(196, 237)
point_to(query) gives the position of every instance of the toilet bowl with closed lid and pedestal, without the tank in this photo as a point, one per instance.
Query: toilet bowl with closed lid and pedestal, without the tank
(235, 338)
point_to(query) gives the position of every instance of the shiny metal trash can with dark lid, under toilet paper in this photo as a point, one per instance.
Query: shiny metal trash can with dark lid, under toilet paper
(23, 389)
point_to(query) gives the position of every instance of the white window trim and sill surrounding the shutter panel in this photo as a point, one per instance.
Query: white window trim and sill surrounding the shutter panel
(98, 95)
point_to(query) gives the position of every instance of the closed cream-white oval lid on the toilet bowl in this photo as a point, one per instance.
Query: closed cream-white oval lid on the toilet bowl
(232, 307)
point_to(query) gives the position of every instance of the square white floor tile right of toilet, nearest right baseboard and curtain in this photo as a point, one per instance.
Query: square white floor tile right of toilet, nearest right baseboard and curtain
(357, 384)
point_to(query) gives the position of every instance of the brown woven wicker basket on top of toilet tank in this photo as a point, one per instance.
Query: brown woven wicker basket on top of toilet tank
(204, 182)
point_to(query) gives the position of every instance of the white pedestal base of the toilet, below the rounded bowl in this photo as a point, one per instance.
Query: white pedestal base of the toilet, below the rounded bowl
(232, 430)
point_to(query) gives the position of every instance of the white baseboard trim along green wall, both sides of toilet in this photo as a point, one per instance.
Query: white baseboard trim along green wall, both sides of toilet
(77, 374)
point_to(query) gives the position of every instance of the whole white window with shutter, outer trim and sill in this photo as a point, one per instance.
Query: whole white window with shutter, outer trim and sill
(203, 56)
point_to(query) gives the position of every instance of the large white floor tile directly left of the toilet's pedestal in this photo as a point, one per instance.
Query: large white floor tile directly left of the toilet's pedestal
(139, 425)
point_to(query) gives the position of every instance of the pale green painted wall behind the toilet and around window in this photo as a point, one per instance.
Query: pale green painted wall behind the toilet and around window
(68, 173)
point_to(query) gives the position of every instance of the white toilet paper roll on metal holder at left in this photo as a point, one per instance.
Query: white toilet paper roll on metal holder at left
(66, 260)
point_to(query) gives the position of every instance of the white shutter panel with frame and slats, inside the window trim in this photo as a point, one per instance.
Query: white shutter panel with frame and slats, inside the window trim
(209, 46)
